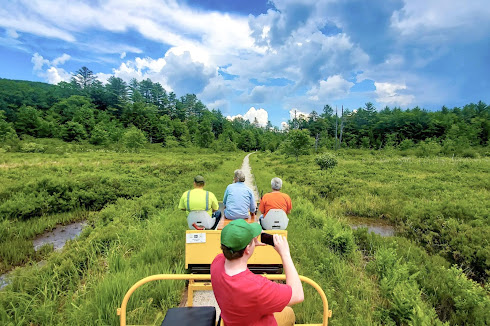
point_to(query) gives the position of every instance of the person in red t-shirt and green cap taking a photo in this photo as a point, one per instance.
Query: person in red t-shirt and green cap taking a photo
(247, 299)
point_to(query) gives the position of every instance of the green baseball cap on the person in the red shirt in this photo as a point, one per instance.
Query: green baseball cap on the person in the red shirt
(238, 234)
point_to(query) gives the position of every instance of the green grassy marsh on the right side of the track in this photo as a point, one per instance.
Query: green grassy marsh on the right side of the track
(374, 280)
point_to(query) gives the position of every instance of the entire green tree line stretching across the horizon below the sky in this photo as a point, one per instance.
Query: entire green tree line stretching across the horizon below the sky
(86, 110)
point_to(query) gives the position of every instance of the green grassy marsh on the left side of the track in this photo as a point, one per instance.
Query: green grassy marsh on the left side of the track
(134, 230)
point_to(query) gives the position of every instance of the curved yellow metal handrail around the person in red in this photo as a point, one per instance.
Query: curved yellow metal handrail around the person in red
(206, 277)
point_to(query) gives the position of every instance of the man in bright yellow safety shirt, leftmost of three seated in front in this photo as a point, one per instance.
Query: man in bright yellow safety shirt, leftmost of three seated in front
(199, 199)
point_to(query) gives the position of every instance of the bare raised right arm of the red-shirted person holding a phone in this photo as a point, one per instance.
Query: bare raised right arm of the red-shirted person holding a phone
(292, 278)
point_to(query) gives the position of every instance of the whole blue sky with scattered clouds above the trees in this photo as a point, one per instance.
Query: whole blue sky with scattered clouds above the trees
(261, 59)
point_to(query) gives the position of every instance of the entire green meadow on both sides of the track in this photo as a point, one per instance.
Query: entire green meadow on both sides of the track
(434, 272)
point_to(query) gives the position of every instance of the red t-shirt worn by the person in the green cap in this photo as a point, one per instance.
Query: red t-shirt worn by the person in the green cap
(247, 299)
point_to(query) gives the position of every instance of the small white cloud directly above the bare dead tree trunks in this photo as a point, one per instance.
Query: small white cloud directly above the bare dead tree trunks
(334, 87)
